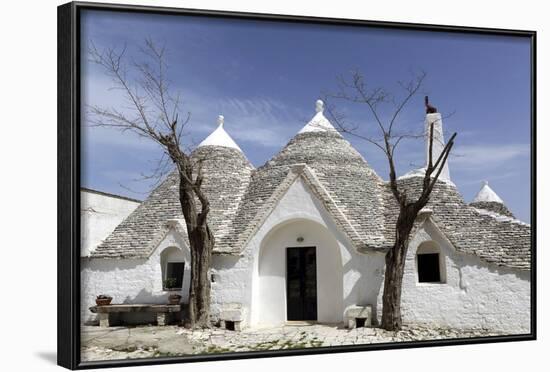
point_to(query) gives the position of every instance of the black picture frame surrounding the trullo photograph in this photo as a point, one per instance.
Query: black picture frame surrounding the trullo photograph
(69, 106)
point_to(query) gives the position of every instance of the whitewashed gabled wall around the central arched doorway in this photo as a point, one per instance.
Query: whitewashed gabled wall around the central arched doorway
(256, 280)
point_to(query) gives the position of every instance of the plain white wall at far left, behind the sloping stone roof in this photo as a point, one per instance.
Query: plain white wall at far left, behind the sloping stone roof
(99, 215)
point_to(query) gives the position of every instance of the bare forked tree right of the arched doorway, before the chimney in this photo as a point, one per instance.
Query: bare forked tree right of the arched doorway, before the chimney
(356, 90)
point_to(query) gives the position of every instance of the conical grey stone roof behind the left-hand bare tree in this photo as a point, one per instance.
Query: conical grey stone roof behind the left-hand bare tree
(226, 176)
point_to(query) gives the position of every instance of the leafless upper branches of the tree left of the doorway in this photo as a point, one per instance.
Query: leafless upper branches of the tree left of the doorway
(156, 109)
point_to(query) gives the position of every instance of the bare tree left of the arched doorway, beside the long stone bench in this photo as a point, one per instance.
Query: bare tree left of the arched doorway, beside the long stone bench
(152, 113)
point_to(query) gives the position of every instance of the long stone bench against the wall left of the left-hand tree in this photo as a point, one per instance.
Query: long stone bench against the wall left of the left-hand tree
(163, 312)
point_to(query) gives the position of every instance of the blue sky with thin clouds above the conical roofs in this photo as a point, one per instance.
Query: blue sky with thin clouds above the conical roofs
(264, 77)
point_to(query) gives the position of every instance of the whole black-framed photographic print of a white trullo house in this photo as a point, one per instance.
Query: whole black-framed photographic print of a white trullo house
(236, 185)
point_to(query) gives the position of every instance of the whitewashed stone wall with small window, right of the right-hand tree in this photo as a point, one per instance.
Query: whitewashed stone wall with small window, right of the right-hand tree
(475, 294)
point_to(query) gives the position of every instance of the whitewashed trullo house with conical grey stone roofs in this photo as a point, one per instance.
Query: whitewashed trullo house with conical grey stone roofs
(303, 238)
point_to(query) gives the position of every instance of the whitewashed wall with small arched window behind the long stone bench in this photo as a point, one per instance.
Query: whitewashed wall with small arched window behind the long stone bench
(131, 280)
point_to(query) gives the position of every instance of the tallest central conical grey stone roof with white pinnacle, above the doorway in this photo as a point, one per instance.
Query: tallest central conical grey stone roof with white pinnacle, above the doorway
(347, 178)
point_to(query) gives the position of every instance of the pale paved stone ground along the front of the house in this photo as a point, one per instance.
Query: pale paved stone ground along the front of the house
(153, 341)
